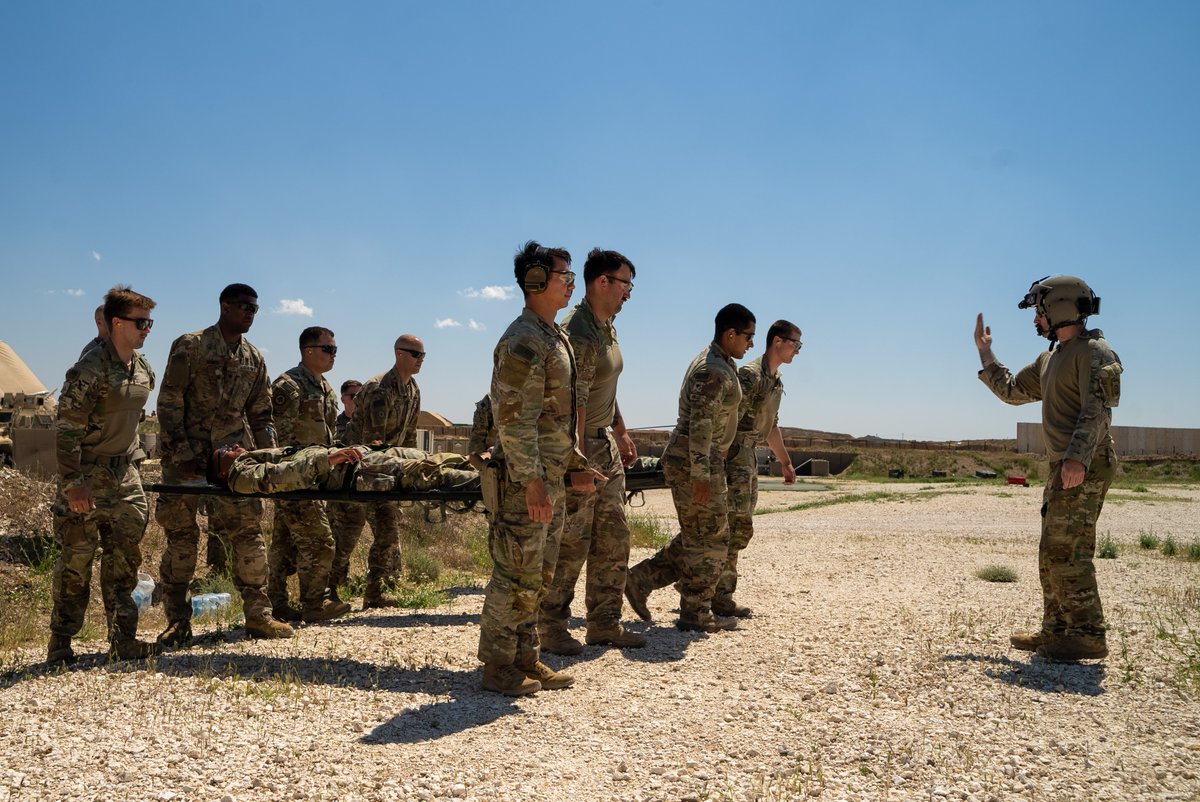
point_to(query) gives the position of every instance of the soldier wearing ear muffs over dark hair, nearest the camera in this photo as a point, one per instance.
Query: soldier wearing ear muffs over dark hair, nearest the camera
(535, 405)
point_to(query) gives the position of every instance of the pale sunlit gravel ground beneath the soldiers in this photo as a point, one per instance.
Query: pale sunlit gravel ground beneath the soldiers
(878, 668)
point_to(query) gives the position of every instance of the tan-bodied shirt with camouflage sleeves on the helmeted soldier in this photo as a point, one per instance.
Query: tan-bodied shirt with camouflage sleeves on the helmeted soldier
(1078, 384)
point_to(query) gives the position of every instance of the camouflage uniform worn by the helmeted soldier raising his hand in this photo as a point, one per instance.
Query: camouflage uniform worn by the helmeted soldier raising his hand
(1078, 384)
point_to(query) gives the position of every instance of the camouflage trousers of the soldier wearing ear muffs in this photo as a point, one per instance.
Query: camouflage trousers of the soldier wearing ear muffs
(524, 556)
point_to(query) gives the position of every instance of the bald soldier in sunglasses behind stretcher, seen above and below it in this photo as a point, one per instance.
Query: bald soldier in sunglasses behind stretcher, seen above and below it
(386, 414)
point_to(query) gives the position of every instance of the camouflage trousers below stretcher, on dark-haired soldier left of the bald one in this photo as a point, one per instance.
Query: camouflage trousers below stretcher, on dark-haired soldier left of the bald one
(303, 544)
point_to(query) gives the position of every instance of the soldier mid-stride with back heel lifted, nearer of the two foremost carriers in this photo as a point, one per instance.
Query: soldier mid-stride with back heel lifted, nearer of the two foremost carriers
(694, 466)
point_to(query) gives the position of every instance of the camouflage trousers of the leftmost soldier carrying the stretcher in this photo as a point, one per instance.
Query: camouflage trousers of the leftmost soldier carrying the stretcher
(116, 526)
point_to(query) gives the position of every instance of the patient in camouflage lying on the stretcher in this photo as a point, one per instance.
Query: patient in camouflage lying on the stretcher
(320, 468)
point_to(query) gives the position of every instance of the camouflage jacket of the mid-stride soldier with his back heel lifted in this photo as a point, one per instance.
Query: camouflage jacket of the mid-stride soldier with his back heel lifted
(709, 409)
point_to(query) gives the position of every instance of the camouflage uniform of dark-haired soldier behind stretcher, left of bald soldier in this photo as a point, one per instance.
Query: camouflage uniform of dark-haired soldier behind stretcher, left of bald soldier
(305, 415)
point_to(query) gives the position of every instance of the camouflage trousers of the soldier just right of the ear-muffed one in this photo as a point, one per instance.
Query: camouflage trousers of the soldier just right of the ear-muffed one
(596, 532)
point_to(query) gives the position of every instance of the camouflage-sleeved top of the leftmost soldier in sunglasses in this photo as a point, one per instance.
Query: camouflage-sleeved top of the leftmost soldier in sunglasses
(100, 409)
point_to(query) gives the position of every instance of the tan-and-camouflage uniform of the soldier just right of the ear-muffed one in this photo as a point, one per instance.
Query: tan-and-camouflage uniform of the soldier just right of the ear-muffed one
(596, 529)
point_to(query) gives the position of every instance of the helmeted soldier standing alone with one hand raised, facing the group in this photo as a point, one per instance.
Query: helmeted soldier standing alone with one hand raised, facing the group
(1078, 382)
